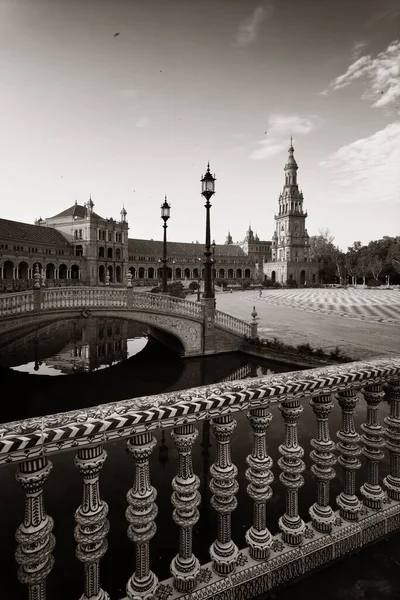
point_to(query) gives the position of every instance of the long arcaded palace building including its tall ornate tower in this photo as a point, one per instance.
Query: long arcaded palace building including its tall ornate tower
(79, 247)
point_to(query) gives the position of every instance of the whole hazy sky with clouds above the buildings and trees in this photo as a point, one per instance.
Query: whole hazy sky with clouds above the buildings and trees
(136, 116)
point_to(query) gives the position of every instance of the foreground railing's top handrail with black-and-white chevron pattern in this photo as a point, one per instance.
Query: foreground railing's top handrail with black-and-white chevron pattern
(20, 440)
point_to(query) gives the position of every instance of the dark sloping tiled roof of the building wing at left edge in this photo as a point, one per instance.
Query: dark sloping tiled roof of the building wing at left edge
(23, 232)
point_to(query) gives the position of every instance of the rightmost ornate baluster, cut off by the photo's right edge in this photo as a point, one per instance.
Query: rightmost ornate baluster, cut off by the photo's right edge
(392, 434)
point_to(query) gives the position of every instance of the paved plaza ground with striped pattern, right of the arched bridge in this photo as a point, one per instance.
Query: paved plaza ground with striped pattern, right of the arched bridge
(362, 323)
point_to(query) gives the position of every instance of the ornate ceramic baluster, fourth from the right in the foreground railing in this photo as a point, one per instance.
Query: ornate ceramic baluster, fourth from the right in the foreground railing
(321, 513)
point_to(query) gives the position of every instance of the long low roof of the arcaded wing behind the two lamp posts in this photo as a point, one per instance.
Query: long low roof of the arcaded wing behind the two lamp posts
(155, 248)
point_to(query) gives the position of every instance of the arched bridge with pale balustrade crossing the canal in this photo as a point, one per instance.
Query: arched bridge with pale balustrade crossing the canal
(199, 328)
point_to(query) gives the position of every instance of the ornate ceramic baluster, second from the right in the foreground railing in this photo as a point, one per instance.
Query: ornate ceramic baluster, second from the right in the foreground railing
(371, 491)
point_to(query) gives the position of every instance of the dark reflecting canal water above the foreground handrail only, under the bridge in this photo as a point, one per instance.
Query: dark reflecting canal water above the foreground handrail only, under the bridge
(79, 363)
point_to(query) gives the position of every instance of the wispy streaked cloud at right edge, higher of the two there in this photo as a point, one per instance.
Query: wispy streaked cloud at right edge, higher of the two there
(382, 76)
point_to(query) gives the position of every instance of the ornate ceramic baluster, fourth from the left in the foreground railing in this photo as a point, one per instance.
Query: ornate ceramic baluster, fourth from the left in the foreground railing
(185, 567)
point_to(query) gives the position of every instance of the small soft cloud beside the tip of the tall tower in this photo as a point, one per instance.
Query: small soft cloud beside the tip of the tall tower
(279, 130)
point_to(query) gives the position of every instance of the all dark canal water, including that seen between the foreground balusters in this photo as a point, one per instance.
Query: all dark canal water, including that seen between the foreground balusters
(85, 362)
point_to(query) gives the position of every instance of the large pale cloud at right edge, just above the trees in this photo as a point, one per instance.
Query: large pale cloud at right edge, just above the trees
(367, 170)
